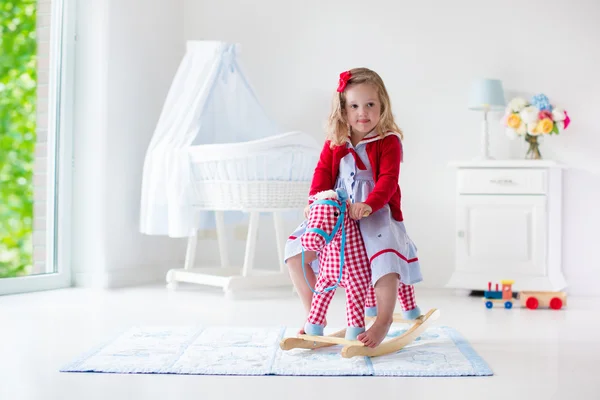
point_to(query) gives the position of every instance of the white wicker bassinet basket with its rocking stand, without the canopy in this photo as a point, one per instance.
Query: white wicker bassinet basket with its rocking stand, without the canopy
(266, 175)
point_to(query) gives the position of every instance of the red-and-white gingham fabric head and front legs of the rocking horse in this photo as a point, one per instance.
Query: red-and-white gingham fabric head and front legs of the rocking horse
(356, 275)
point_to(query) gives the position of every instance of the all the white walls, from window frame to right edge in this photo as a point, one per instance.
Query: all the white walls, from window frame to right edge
(293, 52)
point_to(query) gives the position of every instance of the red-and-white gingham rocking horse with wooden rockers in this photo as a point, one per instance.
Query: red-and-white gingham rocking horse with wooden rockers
(344, 263)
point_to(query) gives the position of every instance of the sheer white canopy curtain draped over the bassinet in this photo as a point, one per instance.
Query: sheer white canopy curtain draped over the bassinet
(210, 101)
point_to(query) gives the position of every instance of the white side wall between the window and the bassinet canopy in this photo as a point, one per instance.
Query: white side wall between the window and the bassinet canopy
(127, 54)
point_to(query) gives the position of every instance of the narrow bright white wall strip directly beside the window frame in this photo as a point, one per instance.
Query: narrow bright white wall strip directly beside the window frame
(89, 143)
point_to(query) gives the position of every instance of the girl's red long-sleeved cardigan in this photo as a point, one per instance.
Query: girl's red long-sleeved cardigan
(384, 154)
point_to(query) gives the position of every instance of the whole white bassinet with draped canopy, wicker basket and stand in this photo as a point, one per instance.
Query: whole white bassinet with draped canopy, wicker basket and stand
(215, 149)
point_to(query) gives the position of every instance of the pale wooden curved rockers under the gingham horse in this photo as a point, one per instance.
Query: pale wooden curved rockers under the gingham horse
(354, 348)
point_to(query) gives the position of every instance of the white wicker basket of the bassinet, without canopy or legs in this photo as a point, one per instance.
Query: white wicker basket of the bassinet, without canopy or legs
(265, 174)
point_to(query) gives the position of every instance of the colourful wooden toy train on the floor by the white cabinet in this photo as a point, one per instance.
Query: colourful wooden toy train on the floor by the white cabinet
(531, 300)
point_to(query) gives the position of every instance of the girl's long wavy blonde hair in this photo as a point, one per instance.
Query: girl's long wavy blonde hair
(338, 127)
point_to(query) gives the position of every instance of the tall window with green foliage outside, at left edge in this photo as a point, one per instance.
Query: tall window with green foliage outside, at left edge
(35, 144)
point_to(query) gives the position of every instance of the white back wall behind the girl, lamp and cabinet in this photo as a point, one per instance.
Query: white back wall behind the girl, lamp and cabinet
(427, 53)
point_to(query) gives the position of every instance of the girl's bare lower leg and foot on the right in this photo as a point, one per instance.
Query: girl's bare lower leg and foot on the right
(386, 290)
